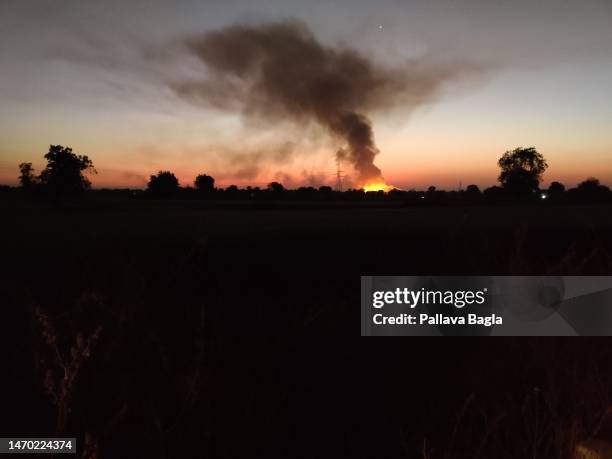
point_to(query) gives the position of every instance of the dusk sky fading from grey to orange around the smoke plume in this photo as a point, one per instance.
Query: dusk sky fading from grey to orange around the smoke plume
(100, 77)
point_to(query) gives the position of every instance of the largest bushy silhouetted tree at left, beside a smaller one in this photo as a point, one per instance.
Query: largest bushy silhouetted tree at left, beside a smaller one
(64, 171)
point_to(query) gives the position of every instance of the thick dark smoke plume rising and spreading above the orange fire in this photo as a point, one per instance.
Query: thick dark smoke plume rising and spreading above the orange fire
(280, 71)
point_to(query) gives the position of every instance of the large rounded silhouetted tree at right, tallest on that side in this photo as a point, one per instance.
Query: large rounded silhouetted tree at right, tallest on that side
(521, 171)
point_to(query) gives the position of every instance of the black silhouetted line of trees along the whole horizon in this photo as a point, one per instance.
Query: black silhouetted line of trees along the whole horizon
(521, 172)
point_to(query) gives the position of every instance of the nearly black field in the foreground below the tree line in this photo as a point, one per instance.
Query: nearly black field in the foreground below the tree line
(228, 330)
